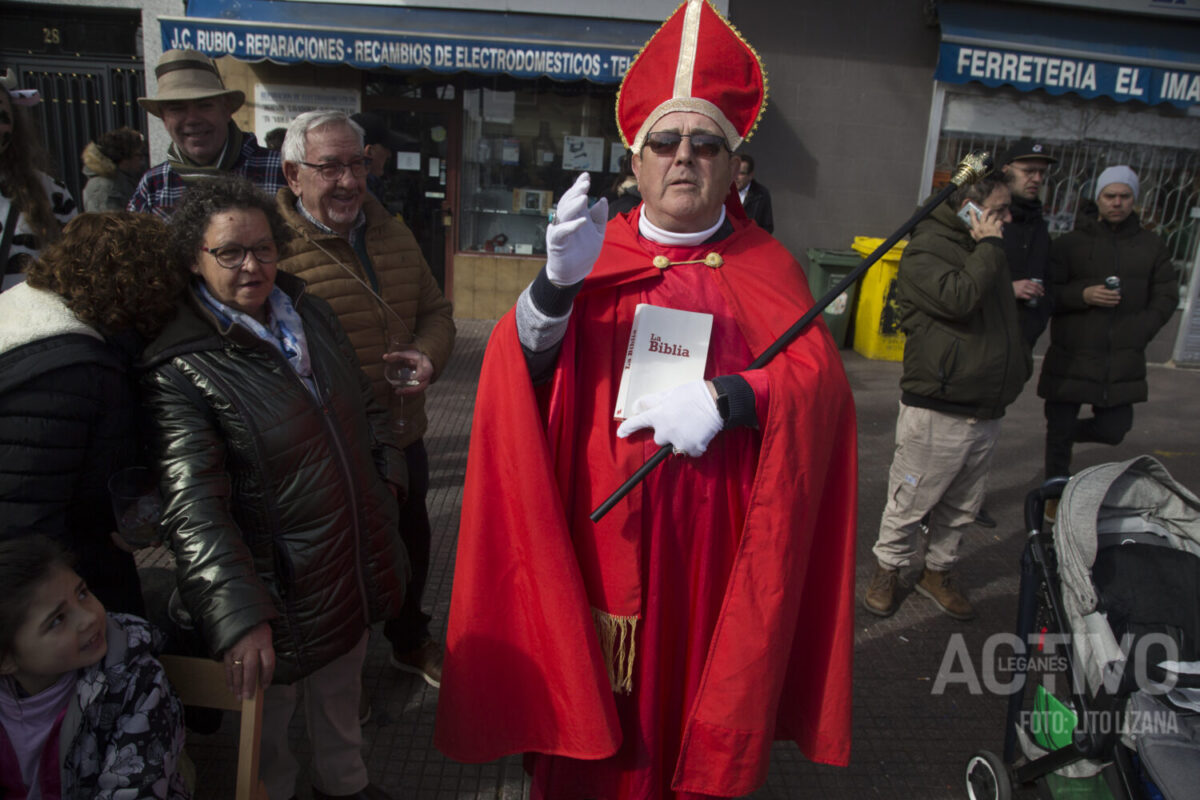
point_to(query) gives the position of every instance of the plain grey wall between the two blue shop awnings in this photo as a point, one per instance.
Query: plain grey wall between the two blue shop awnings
(842, 143)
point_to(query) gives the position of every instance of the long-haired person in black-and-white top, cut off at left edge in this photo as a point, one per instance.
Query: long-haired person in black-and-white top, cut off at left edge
(34, 207)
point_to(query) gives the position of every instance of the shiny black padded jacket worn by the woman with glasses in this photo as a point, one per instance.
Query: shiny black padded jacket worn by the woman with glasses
(278, 506)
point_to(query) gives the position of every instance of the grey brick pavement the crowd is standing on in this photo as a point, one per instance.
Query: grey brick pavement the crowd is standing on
(908, 743)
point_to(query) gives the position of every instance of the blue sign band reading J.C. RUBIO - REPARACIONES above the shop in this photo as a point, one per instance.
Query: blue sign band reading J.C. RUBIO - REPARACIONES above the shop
(370, 50)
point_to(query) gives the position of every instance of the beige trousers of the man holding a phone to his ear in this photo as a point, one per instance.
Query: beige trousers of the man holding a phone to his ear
(940, 468)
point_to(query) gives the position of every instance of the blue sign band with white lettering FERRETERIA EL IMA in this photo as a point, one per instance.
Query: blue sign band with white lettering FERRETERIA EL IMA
(1058, 76)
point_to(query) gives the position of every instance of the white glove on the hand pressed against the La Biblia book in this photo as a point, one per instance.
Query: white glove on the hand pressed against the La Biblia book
(685, 418)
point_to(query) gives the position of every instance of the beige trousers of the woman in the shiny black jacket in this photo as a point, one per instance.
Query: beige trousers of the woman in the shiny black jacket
(331, 699)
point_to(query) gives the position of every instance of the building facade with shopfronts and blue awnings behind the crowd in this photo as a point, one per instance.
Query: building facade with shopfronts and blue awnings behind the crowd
(872, 104)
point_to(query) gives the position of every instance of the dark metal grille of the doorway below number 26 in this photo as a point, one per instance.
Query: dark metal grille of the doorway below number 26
(82, 100)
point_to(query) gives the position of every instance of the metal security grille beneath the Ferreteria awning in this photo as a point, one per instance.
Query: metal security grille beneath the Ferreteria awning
(1169, 187)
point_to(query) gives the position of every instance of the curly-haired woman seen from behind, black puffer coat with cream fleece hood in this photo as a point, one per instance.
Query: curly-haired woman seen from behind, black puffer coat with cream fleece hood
(69, 412)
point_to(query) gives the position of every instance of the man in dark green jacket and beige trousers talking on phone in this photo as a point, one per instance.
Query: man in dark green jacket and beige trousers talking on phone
(964, 363)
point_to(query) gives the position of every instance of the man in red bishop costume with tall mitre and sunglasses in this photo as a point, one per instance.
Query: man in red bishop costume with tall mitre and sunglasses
(659, 652)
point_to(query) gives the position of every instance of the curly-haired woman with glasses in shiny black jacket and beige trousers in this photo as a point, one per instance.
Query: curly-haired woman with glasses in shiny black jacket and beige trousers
(280, 484)
